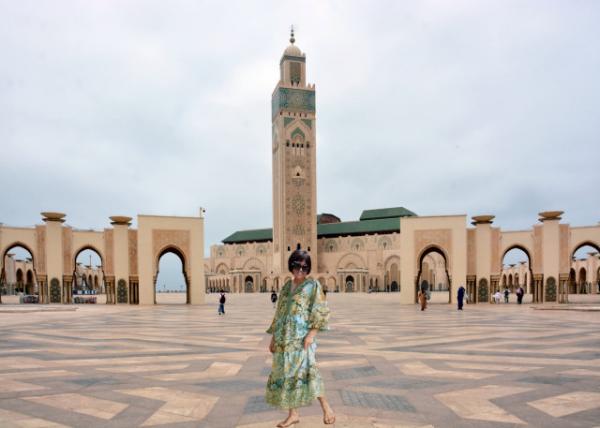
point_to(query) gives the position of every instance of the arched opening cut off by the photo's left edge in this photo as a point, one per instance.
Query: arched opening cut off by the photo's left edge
(18, 279)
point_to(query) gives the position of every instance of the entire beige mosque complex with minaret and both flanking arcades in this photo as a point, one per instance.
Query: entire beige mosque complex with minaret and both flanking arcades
(387, 249)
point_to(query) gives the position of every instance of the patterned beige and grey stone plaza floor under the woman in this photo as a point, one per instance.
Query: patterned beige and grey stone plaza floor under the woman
(384, 365)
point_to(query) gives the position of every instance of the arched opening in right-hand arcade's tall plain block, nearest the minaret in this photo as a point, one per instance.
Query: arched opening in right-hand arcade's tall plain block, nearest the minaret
(433, 276)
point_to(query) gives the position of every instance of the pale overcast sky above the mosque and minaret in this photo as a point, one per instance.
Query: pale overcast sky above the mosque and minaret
(443, 107)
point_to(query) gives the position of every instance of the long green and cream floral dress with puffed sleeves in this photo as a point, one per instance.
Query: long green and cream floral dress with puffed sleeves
(295, 380)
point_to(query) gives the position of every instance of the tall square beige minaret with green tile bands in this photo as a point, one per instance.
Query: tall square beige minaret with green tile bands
(294, 161)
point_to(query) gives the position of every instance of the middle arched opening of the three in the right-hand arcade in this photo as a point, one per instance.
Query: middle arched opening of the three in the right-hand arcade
(516, 273)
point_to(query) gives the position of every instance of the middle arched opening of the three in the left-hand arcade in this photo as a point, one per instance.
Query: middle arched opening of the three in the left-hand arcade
(88, 264)
